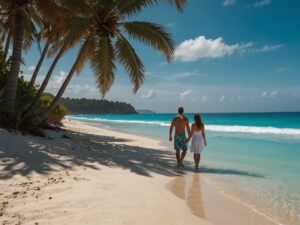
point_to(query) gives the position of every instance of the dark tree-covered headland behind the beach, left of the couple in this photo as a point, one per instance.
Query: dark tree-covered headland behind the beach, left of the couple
(94, 106)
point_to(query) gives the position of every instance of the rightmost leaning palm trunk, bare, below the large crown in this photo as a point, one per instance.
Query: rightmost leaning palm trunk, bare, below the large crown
(43, 115)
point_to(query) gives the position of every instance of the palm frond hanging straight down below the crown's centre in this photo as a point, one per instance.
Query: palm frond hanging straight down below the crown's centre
(103, 65)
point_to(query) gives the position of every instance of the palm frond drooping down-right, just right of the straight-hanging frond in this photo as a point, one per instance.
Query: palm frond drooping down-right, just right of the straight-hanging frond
(130, 61)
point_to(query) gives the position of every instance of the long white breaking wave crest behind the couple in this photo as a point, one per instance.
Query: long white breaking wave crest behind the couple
(217, 128)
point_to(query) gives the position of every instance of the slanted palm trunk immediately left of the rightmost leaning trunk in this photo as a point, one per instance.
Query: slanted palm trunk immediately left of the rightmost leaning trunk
(36, 99)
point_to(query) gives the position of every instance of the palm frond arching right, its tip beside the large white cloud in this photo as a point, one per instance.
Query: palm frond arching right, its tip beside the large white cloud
(153, 35)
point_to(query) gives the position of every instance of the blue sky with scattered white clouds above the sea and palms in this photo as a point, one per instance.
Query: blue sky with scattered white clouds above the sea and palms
(231, 56)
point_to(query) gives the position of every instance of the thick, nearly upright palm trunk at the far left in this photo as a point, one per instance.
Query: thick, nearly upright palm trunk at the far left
(12, 78)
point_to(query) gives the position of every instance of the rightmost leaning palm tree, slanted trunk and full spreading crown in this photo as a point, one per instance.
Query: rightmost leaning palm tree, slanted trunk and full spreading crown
(103, 27)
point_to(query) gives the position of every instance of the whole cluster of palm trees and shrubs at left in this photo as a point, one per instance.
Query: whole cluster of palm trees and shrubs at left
(101, 30)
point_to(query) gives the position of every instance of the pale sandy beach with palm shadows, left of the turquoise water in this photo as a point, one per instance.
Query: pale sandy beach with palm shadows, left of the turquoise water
(91, 175)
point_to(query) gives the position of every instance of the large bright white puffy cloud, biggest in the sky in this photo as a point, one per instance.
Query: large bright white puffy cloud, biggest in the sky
(202, 48)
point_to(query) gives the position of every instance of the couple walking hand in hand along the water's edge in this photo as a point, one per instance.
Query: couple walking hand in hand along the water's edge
(196, 133)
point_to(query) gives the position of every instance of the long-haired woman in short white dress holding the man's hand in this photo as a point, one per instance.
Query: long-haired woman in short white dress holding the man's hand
(198, 139)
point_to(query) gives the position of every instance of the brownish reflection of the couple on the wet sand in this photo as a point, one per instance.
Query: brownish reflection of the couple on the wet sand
(193, 197)
